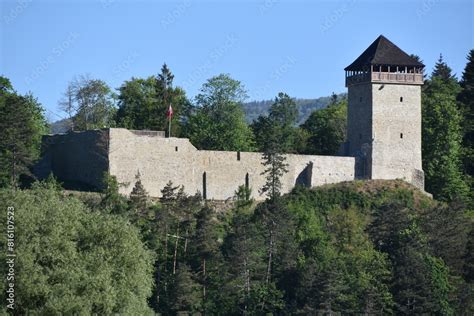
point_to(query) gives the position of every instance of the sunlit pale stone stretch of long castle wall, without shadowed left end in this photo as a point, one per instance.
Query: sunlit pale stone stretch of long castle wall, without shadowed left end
(215, 173)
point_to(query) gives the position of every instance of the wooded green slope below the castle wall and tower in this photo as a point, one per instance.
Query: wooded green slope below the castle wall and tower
(359, 247)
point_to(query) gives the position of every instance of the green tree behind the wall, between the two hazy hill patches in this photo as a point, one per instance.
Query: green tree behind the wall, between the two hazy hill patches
(280, 124)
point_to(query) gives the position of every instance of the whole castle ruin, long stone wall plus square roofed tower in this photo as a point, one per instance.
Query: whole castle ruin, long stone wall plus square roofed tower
(383, 142)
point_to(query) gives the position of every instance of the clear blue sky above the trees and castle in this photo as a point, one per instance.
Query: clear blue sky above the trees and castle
(298, 47)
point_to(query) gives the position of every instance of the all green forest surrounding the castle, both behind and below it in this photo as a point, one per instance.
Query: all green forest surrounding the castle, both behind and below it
(362, 247)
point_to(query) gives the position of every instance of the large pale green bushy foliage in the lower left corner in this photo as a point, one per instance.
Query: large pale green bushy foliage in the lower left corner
(70, 260)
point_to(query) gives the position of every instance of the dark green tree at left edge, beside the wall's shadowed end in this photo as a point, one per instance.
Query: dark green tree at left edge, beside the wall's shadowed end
(22, 124)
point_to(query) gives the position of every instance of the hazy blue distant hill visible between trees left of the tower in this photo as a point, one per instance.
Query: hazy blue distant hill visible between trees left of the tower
(256, 108)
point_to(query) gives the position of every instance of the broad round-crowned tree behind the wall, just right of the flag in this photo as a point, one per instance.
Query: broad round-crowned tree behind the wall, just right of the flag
(217, 121)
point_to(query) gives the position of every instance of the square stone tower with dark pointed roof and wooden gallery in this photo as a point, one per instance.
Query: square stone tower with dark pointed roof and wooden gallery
(384, 113)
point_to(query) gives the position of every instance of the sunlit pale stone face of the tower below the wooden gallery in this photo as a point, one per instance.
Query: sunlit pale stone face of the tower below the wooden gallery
(396, 117)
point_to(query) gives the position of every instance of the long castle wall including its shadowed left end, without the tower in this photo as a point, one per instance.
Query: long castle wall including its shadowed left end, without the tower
(81, 158)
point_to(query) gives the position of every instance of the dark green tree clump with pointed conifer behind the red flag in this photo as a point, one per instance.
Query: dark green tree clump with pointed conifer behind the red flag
(143, 103)
